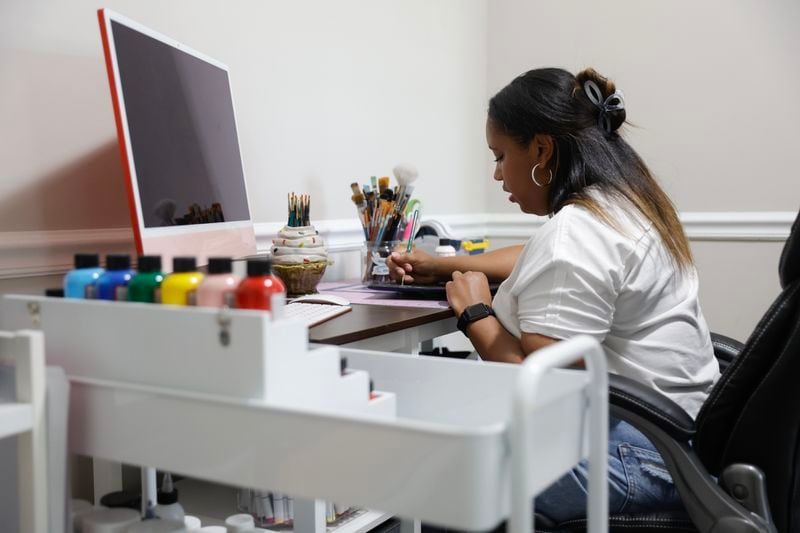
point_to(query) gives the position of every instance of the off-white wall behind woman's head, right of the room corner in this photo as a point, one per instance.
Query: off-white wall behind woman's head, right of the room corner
(711, 86)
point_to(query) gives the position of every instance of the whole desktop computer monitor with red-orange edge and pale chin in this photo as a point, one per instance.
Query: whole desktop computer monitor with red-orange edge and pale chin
(180, 150)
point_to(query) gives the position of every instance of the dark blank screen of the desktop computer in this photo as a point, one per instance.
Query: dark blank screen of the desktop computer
(182, 131)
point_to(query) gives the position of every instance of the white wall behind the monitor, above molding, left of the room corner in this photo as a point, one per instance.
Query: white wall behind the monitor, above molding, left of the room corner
(325, 93)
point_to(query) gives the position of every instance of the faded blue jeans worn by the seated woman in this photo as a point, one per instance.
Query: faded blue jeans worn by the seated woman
(638, 481)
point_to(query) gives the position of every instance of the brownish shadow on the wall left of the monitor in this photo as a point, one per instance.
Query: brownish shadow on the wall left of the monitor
(87, 193)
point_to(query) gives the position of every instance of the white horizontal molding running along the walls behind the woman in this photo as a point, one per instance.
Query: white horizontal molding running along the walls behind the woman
(42, 253)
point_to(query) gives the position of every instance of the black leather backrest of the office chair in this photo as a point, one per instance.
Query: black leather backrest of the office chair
(753, 413)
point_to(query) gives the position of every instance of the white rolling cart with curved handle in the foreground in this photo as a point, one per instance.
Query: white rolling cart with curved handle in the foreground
(234, 398)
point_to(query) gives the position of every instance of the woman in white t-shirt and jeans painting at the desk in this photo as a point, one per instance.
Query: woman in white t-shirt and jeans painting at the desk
(612, 262)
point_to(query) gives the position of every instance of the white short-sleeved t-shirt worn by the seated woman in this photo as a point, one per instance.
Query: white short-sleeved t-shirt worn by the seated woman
(579, 275)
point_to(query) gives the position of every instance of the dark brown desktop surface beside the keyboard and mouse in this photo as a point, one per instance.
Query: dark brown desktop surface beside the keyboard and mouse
(366, 321)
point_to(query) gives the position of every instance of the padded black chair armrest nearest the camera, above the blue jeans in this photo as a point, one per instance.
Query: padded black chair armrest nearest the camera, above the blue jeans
(652, 406)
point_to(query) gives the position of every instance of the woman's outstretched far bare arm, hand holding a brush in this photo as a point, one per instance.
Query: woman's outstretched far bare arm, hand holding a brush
(420, 267)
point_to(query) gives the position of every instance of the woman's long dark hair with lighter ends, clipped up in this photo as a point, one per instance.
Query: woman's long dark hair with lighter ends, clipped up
(551, 101)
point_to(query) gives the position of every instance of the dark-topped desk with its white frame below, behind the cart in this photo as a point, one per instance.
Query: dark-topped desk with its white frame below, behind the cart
(383, 328)
